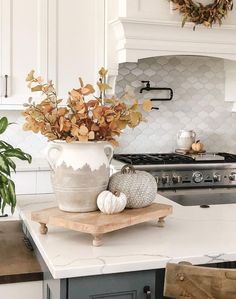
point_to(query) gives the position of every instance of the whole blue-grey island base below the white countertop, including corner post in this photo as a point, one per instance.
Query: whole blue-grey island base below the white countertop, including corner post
(131, 285)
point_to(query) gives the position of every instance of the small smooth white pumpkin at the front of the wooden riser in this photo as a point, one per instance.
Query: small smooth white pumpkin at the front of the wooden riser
(110, 203)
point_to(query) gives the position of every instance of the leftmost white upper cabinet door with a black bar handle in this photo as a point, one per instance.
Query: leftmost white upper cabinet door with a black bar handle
(21, 47)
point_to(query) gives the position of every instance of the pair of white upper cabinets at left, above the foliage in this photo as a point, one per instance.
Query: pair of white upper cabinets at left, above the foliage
(60, 39)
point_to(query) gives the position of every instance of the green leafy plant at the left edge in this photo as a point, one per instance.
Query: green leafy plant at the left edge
(7, 164)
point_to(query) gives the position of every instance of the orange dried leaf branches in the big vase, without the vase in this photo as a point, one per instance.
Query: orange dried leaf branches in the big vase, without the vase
(83, 118)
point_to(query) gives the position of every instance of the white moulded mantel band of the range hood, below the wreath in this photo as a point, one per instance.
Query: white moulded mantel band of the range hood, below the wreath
(136, 39)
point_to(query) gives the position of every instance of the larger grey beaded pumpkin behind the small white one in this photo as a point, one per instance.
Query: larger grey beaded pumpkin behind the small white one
(139, 187)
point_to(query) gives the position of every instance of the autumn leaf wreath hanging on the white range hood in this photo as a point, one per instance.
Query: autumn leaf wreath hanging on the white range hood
(200, 14)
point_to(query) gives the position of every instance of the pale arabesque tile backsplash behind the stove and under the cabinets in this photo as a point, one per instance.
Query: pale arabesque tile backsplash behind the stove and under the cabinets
(198, 104)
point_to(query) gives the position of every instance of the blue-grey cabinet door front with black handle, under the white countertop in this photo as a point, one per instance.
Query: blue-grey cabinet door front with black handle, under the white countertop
(113, 286)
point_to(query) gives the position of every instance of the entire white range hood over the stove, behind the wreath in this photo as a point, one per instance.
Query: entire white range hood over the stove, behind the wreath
(139, 29)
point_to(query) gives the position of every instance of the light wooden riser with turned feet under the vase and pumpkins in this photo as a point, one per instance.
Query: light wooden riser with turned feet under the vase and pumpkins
(97, 223)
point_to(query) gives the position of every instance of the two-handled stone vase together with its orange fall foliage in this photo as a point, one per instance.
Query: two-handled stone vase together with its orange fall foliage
(79, 132)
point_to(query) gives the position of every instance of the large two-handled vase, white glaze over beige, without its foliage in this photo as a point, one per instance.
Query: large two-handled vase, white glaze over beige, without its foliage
(80, 171)
